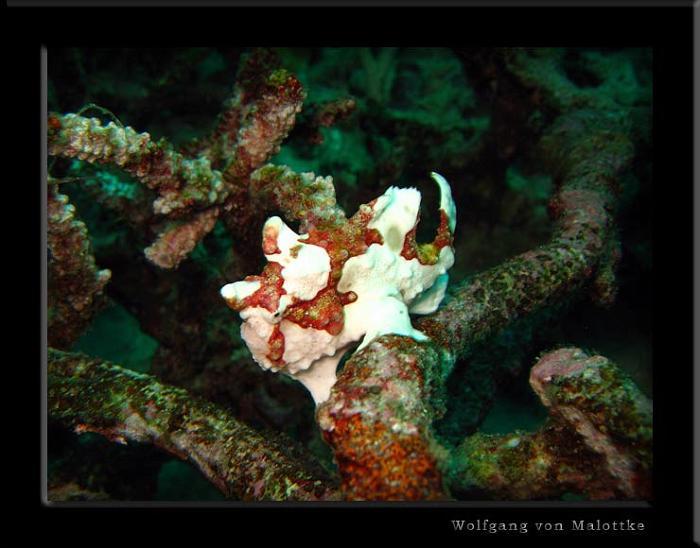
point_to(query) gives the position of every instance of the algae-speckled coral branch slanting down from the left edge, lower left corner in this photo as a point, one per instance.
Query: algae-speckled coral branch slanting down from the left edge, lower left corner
(96, 396)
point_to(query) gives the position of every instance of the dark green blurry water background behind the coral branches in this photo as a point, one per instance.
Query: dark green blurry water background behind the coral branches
(417, 110)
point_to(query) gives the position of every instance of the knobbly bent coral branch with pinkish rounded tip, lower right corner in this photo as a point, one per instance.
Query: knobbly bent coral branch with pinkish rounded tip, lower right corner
(596, 442)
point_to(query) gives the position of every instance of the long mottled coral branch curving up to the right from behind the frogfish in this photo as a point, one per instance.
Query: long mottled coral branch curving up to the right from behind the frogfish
(586, 150)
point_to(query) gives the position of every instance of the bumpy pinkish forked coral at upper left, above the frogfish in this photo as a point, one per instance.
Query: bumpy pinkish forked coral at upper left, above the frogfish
(256, 118)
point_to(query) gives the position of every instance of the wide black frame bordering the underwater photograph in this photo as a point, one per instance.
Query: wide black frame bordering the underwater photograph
(669, 30)
